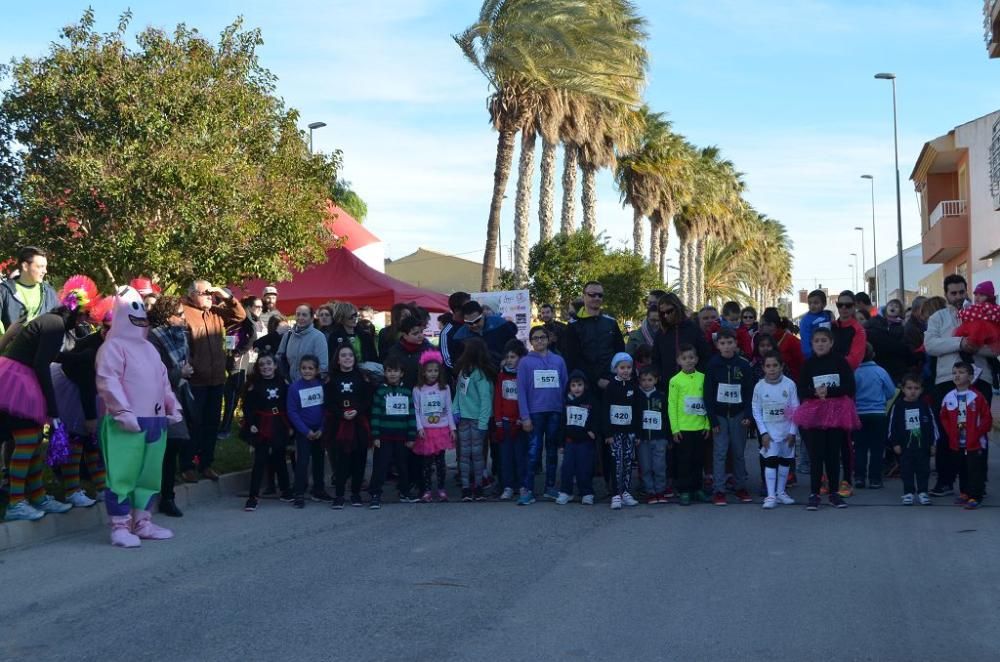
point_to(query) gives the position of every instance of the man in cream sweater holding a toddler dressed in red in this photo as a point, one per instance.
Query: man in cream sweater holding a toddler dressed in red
(941, 343)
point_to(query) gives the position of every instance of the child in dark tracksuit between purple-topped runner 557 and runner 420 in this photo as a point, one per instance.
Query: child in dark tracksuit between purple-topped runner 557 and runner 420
(581, 423)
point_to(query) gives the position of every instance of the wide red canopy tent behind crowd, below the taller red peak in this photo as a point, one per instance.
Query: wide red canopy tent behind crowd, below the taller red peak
(344, 277)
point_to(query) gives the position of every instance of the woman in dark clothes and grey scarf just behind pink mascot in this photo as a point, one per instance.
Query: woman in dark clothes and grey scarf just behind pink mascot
(168, 334)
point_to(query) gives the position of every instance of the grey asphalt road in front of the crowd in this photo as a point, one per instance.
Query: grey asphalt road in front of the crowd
(492, 581)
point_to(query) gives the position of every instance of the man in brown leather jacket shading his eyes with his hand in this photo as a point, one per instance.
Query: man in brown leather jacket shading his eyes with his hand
(208, 311)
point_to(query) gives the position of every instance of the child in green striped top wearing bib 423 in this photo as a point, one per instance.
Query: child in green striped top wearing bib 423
(394, 430)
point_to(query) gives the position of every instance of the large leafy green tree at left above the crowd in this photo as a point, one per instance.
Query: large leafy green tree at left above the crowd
(174, 158)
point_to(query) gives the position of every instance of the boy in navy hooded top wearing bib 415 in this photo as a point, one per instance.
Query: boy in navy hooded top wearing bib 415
(728, 395)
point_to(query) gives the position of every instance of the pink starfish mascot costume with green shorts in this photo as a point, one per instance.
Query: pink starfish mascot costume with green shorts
(139, 405)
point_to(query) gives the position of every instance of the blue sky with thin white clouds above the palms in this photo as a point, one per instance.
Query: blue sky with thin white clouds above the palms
(783, 87)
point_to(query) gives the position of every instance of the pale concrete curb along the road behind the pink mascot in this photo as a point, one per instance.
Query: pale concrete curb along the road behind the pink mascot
(50, 527)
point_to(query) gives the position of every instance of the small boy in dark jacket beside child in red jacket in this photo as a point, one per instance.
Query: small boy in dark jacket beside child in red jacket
(913, 433)
